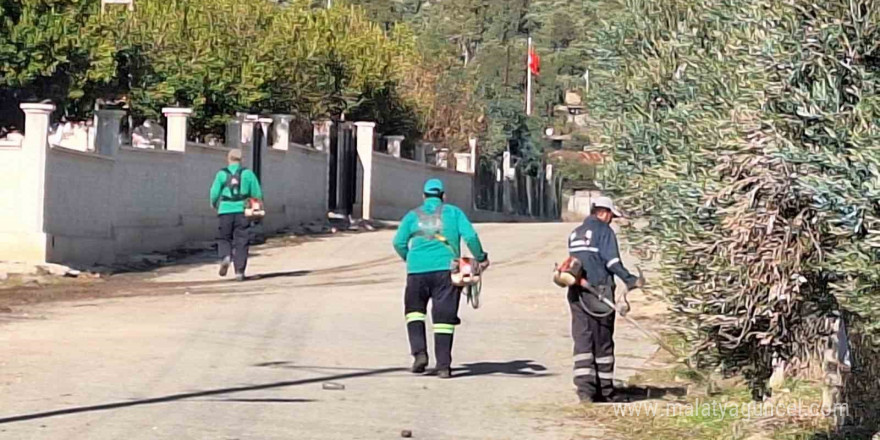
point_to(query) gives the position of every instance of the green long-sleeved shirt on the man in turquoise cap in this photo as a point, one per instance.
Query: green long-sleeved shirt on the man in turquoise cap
(423, 254)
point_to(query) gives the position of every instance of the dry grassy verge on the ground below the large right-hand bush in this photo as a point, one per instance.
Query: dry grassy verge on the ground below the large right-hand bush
(792, 414)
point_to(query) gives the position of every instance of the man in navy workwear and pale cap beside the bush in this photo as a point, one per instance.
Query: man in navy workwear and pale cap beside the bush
(594, 244)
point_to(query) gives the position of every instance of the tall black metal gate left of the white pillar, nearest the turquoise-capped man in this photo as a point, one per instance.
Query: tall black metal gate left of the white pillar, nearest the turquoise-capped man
(343, 168)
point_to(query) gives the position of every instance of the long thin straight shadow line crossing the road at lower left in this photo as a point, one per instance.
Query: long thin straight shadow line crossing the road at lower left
(184, 396)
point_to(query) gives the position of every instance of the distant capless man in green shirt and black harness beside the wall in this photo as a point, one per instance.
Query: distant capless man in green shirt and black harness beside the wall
(233, 187)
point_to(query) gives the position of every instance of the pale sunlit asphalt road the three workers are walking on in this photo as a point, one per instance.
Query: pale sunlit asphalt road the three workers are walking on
(251, 360)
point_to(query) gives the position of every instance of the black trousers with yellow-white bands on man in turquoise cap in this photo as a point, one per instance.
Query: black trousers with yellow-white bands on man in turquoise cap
(435, 287)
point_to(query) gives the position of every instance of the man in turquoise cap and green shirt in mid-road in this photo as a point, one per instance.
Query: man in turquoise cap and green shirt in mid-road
(429, 240)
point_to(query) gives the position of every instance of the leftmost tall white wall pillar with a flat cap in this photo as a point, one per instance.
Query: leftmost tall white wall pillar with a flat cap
(31, 244)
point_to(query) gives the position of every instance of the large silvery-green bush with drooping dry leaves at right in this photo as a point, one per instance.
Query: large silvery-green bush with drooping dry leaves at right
(746, 132)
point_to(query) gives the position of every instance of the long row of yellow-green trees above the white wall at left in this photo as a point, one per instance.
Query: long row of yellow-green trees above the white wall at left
(218, 57)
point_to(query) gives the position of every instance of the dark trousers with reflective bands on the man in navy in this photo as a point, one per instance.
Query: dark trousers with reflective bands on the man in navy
(593, 351)
